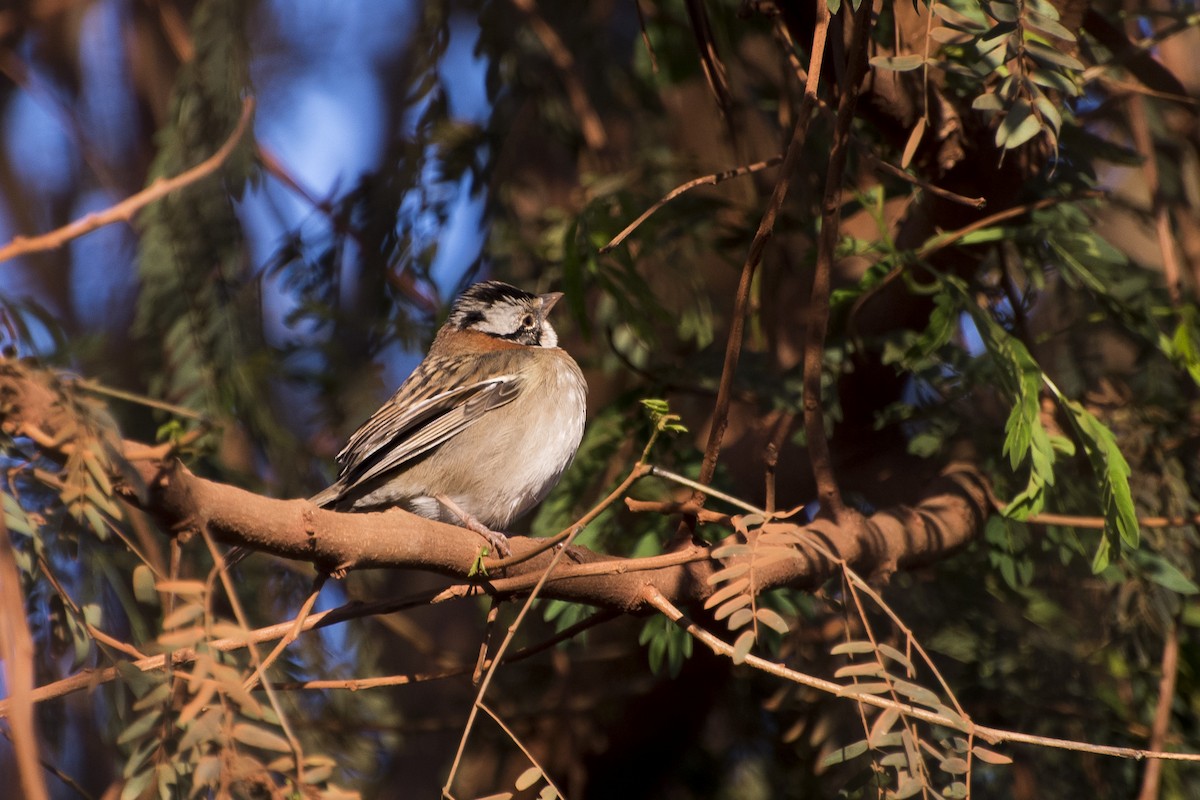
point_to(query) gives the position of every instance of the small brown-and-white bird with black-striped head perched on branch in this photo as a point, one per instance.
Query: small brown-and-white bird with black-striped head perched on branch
(484, 428)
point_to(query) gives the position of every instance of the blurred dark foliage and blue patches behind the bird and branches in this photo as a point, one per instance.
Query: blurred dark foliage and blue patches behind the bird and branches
(404, 151)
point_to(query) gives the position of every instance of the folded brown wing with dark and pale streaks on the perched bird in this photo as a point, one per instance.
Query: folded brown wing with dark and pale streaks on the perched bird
(409, 425)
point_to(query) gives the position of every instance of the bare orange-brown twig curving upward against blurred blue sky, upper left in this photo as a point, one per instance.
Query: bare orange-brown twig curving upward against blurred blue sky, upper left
(130, 207)
